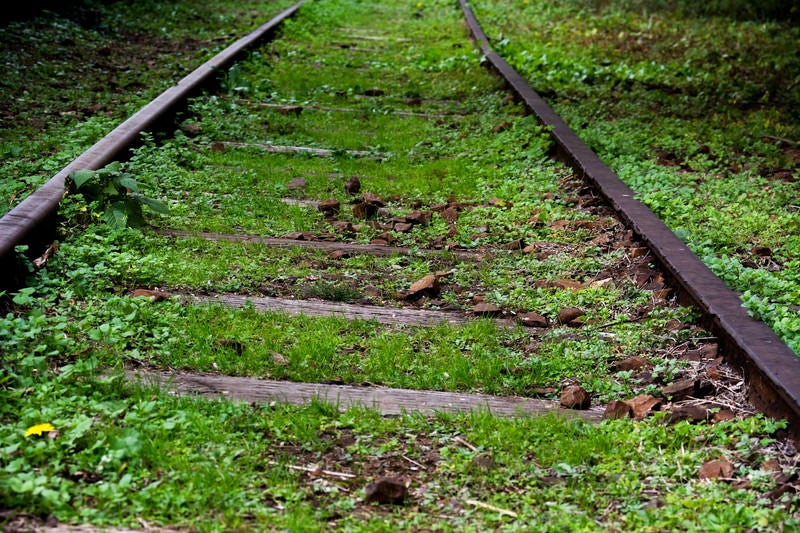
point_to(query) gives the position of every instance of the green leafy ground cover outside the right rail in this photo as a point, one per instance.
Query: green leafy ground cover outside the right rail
(695, 110)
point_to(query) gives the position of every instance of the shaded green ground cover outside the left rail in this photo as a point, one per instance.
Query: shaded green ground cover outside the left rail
(72, 75)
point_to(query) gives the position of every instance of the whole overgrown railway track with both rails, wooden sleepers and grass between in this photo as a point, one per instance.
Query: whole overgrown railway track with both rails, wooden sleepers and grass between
(357, 210)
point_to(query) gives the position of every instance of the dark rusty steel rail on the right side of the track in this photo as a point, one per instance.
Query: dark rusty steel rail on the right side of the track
(770, 367)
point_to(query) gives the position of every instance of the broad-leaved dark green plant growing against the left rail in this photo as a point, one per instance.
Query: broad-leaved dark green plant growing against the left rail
(116, 192)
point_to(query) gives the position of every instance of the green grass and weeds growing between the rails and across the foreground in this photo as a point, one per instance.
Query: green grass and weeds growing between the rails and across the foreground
(442, 146)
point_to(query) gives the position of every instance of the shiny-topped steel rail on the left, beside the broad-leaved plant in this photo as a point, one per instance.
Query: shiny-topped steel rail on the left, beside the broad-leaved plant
(42, 204)
